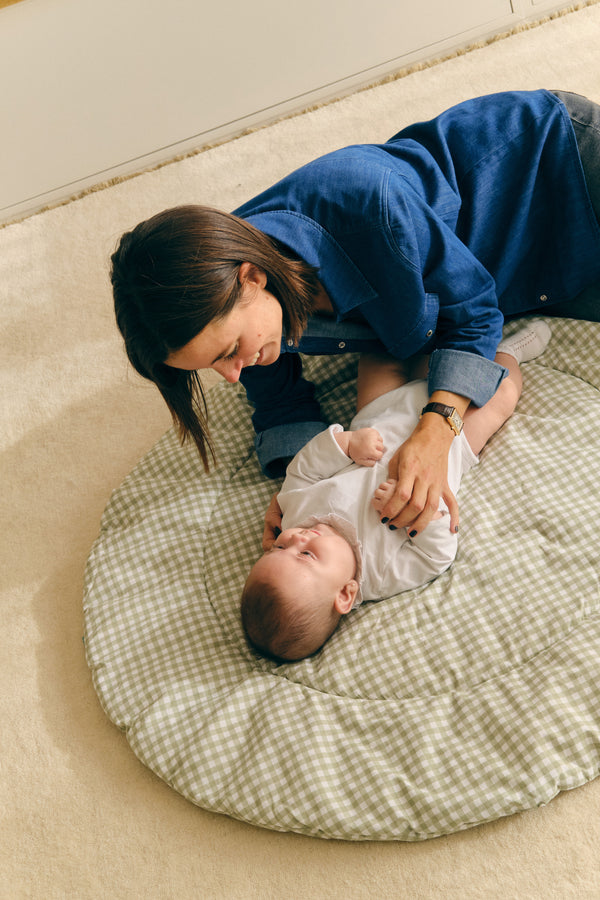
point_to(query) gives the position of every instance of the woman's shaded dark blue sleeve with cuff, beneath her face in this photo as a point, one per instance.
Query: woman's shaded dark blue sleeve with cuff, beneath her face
(286, 412)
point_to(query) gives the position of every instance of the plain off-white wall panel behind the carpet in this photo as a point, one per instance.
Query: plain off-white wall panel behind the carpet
(93, 89)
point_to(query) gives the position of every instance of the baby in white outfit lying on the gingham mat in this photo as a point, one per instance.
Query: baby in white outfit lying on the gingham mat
(333, 551)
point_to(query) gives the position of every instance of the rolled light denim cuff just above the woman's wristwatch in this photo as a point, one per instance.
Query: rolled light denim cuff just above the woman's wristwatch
(466, 374)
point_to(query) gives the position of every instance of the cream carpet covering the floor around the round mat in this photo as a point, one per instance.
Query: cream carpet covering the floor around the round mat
(82, 818)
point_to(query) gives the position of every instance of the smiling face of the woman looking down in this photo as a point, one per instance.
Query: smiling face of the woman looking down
(250, 335)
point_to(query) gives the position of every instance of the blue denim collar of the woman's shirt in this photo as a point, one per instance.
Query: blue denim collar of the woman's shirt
(345, 284)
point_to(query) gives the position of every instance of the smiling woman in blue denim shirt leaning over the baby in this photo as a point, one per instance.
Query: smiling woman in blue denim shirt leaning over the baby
(421, 245)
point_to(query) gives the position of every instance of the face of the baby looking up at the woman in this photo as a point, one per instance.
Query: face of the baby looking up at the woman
(316, 561)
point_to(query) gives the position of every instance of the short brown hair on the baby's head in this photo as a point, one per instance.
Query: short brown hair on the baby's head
(277, 628)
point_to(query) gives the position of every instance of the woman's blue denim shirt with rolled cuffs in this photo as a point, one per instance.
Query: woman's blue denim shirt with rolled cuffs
(428, 241)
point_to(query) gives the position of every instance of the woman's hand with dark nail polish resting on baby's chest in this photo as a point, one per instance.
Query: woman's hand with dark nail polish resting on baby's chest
(420, 468)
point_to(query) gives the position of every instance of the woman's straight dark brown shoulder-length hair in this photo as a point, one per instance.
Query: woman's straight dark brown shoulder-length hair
(178, 271)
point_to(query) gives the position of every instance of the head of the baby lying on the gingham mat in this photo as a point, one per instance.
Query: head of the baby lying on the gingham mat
(298, 590)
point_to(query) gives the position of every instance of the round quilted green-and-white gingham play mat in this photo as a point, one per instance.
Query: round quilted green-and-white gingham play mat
(469, 699)
